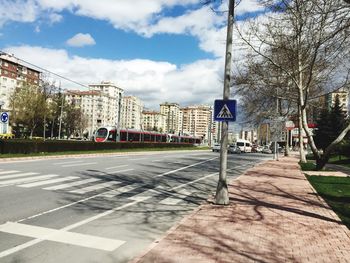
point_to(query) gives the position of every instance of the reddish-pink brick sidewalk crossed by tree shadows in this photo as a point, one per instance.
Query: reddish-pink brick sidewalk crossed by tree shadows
(274, 216)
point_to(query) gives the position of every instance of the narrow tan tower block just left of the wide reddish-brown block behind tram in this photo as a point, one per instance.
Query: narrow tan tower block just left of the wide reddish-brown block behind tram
(172, 113)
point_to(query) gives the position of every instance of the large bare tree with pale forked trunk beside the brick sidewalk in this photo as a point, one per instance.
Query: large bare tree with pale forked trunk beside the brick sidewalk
(312, 36)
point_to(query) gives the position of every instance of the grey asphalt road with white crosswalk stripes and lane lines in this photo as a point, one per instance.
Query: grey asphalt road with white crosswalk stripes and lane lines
(102, 209)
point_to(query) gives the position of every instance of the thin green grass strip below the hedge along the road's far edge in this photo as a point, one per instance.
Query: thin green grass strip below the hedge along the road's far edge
(102, 151)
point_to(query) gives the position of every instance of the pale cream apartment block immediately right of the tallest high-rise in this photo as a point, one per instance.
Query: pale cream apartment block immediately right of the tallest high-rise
(131, 117)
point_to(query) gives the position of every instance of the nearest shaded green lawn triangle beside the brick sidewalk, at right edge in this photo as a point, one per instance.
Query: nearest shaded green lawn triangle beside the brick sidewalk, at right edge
(336, 192)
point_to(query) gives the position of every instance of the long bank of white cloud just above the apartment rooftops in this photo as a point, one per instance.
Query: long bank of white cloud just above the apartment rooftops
(154, 82)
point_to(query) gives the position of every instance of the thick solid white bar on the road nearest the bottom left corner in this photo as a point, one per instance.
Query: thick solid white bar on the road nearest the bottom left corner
(62, 236)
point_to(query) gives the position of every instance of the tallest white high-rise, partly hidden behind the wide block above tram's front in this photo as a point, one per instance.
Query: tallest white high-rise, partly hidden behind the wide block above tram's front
(116, 94)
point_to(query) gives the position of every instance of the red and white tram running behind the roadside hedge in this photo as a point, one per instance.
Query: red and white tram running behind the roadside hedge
(112, 134)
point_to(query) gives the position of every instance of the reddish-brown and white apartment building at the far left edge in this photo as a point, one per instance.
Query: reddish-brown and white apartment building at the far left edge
(14, 74)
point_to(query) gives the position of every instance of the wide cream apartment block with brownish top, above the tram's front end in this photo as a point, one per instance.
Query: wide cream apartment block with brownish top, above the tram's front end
(97, 106)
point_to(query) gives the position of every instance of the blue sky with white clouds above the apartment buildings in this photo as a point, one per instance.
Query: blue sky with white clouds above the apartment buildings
(157, 50)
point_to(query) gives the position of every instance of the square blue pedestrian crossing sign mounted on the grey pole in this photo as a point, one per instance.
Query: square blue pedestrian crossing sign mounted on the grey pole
(225, 110)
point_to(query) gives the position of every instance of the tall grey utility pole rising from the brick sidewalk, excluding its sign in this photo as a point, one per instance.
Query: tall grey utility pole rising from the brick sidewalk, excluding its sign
(221, 197)
